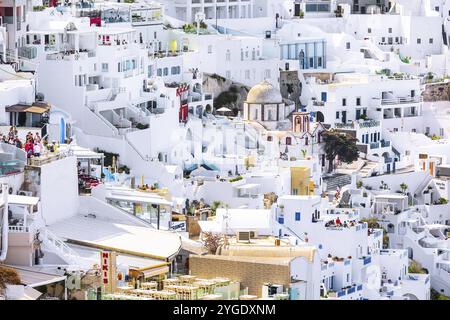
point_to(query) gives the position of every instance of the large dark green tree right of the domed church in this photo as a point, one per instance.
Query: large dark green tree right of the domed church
(339, 144)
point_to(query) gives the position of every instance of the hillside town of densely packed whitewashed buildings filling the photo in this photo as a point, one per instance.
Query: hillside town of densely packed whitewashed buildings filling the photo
(149, 156)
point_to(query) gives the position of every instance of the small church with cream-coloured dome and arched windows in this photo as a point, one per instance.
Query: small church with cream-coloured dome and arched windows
(264, 104)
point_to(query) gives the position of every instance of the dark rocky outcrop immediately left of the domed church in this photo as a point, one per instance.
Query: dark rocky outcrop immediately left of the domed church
(226, 93)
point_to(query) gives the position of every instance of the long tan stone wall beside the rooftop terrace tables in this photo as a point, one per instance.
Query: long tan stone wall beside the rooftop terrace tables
(252, 274)
